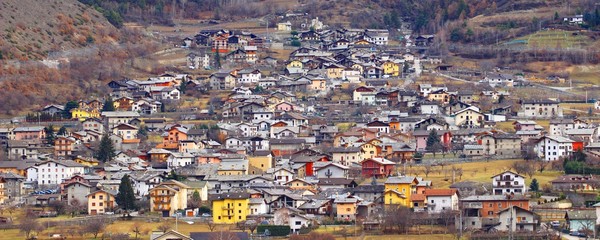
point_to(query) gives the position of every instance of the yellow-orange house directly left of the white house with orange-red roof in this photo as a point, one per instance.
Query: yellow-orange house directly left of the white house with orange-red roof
(399, 189)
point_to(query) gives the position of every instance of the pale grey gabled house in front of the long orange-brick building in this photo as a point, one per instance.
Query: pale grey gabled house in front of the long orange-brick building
(517, 219)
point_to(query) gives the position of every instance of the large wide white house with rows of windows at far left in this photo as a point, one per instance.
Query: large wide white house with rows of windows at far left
(53, 171)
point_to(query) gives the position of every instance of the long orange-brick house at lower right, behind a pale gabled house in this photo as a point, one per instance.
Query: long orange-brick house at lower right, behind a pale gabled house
(483, 211)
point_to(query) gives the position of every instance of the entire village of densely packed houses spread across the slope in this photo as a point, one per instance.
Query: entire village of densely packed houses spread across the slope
(354, 129)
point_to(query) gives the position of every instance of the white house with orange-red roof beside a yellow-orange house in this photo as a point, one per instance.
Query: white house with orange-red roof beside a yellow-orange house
(441, 200)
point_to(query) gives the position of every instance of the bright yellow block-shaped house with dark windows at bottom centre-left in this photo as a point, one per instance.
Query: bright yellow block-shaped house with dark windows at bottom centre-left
(230, 208)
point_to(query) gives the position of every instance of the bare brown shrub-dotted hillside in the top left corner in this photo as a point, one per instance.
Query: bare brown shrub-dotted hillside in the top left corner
(30, 29)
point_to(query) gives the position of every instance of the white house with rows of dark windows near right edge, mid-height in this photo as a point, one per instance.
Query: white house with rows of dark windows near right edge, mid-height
(552, 148)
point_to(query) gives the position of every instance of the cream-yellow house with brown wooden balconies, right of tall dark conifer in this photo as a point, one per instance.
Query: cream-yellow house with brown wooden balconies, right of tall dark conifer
(168, 197)
